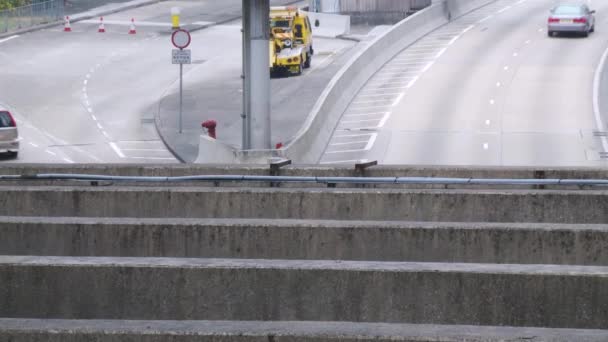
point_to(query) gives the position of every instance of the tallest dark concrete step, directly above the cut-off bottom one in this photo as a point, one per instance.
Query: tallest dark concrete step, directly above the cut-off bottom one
(292, 290)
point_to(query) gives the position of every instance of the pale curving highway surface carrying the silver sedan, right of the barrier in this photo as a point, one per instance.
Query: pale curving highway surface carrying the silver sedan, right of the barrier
(488, 89)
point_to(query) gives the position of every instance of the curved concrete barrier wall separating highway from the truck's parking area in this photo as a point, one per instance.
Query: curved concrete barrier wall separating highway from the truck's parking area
(310, 142)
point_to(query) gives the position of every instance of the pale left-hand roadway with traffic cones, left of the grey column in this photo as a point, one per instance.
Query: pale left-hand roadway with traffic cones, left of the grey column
(89, 97)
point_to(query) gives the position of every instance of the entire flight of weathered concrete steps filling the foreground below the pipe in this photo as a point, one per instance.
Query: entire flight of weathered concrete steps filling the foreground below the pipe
(157, 263)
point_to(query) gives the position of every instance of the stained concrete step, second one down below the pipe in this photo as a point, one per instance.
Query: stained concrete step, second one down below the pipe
(302, 239)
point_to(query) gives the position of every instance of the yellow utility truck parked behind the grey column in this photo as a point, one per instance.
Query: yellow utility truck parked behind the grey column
(290, 41)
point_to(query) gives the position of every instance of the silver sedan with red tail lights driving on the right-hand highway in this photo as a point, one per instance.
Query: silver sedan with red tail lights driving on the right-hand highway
(577, 18)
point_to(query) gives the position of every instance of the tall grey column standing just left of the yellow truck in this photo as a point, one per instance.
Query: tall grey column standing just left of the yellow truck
(256, 75)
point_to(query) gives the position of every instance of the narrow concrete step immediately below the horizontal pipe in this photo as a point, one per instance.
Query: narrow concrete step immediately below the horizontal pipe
(336, 204)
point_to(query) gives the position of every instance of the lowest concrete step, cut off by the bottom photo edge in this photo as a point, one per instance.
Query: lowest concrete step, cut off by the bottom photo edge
(35, 330)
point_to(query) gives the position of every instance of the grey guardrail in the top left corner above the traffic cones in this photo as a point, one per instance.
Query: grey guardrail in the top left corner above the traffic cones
(41, 12)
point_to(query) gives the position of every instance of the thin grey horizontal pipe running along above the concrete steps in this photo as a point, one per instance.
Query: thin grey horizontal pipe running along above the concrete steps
(310, 179)
